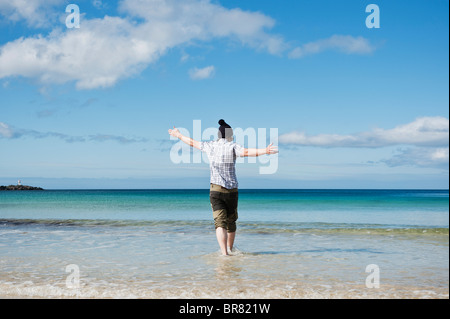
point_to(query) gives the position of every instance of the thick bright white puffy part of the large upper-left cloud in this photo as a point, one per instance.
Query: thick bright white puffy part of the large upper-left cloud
(96, 55)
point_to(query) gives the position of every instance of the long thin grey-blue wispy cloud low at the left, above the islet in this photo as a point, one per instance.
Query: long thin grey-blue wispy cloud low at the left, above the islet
(8, 132)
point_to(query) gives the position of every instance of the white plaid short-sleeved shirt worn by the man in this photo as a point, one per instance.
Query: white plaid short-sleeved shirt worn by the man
(222, 159)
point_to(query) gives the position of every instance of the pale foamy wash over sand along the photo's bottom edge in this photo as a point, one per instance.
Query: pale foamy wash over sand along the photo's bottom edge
(214, 290)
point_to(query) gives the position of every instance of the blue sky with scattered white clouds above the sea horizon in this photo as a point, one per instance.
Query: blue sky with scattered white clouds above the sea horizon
(354, 107)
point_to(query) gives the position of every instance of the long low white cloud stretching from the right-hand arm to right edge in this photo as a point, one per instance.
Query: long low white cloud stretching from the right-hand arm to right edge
(424, 131)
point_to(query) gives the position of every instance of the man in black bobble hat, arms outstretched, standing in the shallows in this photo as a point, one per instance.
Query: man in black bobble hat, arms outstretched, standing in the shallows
(222, 155)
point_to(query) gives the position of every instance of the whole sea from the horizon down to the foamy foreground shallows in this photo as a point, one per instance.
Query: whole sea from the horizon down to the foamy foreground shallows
(161, 244)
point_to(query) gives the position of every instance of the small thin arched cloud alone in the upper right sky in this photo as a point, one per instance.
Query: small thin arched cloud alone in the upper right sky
(342, 43)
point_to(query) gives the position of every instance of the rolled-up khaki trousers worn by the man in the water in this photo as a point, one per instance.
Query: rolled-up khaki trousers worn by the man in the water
(224, 205)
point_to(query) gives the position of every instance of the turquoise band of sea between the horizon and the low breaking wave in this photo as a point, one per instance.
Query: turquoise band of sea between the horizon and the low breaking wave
(388, 208)
